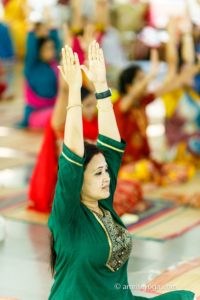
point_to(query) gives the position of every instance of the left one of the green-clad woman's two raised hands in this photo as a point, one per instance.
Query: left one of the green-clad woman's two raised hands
(70, 69)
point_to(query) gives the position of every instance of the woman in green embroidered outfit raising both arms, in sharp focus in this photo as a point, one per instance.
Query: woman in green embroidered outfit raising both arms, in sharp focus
(91, 245)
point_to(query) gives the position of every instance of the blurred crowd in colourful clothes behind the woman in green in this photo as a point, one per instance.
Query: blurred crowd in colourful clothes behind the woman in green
(152, 50)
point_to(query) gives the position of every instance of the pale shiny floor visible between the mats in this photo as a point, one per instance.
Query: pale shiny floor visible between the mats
(24, 254)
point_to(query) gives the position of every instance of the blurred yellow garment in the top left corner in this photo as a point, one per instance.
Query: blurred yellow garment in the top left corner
(14, 15)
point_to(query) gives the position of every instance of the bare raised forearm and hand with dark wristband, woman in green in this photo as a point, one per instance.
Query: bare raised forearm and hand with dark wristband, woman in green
(97, 73)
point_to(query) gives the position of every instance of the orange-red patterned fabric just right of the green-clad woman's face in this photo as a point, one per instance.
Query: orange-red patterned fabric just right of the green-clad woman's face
(128, 193)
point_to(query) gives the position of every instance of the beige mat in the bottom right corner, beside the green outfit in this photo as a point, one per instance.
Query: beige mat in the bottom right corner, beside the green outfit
(185, 276)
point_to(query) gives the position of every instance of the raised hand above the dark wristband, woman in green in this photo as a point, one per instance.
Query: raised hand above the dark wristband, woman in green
(97, 70)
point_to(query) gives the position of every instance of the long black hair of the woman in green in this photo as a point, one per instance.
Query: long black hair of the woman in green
(90, 151)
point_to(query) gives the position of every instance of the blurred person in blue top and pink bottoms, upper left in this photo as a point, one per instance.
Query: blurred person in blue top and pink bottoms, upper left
(41, 76)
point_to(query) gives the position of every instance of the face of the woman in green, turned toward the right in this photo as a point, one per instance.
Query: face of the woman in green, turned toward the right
(96, 183)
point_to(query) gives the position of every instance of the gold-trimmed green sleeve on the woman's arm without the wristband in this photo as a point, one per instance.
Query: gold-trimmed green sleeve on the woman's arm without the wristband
(66, 205)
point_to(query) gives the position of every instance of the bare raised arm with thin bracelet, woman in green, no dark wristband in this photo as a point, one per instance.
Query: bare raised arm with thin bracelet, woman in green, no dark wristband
(71, 72)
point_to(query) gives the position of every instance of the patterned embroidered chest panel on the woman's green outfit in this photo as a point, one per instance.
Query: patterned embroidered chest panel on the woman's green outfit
(120, 241)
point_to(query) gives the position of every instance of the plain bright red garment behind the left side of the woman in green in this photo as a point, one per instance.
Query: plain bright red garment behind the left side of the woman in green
(44, 177)
